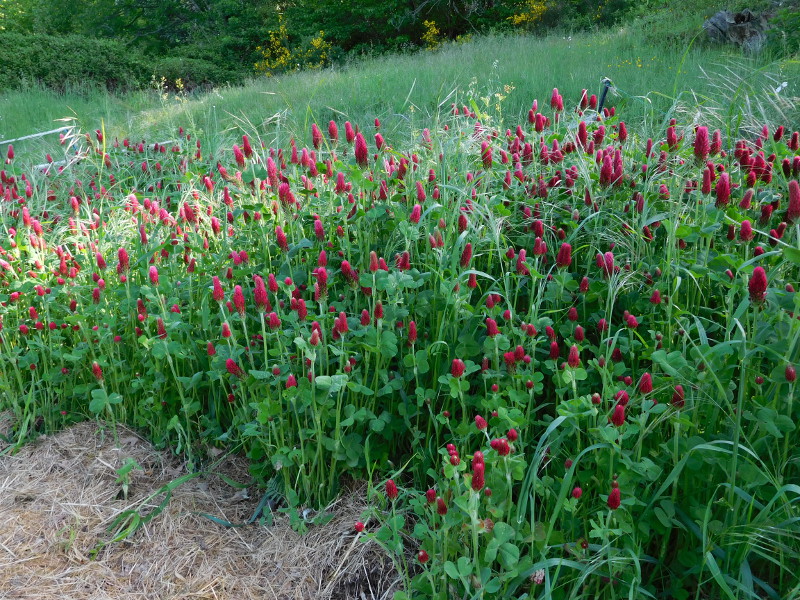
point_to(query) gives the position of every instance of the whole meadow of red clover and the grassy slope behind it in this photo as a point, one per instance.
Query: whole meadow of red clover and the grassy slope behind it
(558, 340)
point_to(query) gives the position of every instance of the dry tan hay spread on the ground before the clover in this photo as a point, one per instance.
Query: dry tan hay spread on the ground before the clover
(59, 495)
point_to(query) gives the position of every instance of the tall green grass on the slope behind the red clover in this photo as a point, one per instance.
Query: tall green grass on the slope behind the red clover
(401, 88)
